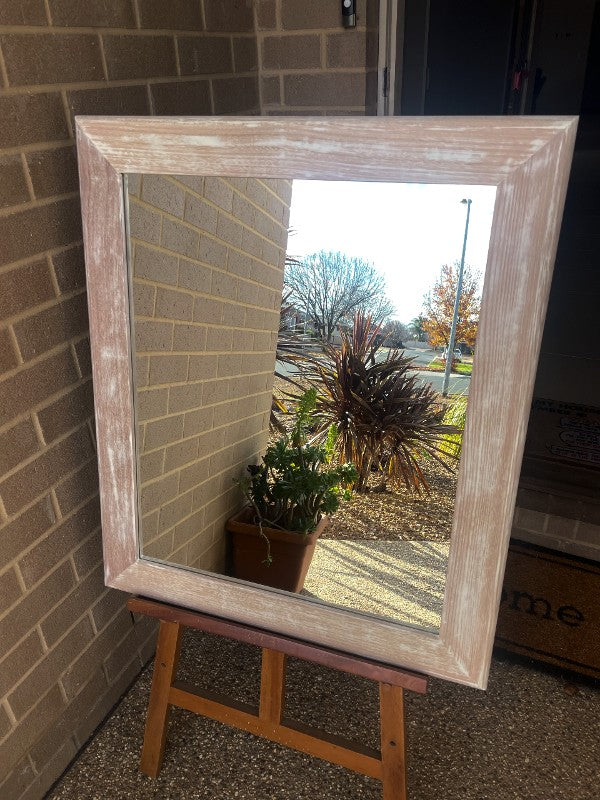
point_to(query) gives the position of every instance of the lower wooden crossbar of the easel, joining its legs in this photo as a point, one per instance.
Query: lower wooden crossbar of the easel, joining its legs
(289, 733)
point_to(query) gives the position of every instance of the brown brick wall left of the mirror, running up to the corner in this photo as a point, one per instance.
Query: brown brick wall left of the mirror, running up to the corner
(68, 647)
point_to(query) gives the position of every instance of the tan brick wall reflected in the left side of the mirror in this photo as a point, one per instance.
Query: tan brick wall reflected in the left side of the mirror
(208, 258)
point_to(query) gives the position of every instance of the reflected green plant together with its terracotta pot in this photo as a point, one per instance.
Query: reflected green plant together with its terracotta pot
(289, 497)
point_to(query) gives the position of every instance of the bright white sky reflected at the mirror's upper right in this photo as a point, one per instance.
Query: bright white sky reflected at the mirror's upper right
(406, 230)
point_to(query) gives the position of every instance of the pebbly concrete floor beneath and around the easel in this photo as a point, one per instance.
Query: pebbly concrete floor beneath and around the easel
(530, 736)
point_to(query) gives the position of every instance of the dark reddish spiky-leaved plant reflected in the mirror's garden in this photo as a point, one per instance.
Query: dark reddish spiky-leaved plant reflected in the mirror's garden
(387, 422)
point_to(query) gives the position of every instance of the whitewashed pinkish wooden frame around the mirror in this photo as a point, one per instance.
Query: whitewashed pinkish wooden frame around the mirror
(528, 161)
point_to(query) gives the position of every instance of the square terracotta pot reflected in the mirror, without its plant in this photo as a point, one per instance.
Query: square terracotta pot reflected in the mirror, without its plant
(291, 552)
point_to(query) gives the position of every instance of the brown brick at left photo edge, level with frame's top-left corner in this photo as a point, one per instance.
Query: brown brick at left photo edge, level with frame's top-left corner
(30, 118)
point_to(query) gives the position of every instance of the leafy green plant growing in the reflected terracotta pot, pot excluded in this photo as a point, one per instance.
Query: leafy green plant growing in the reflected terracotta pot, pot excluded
(295, 485)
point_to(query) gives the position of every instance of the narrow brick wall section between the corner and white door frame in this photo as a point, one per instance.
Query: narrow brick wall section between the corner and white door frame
(309, 64)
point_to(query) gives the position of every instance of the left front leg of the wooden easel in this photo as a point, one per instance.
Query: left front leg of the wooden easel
(165, 667)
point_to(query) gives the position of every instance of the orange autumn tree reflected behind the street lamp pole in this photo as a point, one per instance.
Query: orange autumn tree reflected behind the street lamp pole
(438, 307)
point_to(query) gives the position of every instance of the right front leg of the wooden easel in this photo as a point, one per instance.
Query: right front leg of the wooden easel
(391, 710)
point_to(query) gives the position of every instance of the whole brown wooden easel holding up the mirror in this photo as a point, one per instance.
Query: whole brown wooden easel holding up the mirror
(388, 764)
